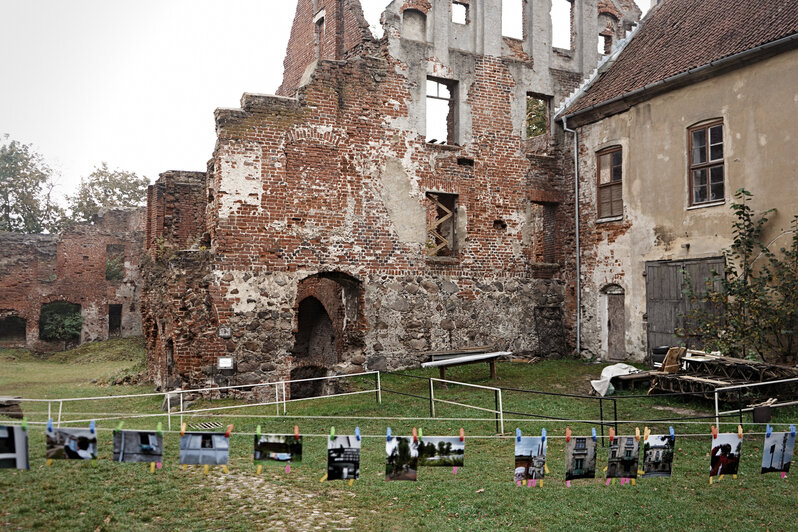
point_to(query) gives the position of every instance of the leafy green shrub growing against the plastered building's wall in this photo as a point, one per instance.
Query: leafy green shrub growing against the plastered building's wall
(749, 309)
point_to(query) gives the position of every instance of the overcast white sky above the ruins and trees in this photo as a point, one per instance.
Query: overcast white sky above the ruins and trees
(135, 82)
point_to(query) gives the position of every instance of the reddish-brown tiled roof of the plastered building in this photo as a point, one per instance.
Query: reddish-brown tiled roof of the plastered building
(678, 35)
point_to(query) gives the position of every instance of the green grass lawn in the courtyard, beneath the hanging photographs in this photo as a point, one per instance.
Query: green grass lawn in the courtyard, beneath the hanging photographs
(482, 496)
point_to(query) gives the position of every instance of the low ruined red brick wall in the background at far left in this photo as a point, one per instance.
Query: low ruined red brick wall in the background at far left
(94, 268)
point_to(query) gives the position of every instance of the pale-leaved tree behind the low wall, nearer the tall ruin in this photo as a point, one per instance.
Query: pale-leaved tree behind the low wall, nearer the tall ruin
(107, 188)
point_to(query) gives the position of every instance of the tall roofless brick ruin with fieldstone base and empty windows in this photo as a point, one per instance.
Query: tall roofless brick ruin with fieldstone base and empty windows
(392, 199)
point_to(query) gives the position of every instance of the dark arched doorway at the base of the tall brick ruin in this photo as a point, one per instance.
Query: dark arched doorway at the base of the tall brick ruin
(314, 348)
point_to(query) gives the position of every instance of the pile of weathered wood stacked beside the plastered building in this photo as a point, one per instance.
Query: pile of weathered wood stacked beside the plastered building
(699, 373)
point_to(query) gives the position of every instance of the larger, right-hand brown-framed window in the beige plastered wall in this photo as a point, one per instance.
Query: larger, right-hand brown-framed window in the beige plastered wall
(706, 163)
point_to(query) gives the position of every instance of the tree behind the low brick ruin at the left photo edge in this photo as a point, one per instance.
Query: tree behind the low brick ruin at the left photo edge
(26, 187)
